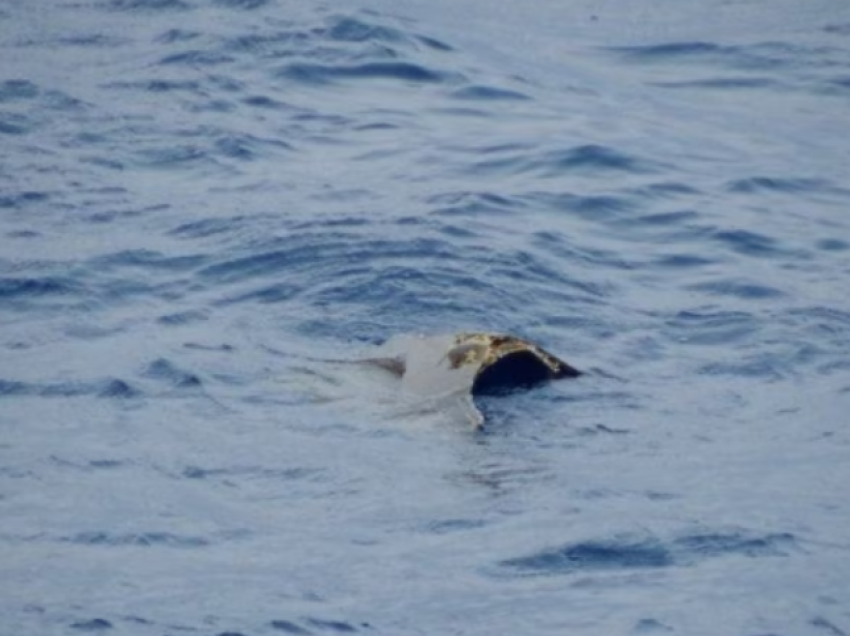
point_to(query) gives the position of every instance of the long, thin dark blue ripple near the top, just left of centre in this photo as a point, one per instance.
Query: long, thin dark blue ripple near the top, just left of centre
(406, 72)
